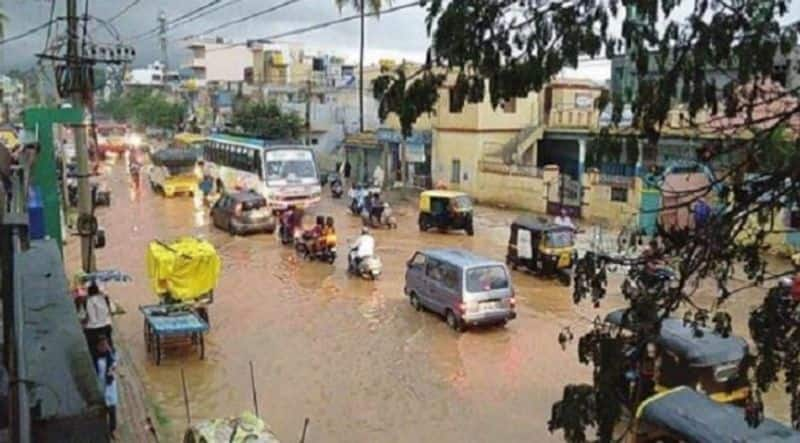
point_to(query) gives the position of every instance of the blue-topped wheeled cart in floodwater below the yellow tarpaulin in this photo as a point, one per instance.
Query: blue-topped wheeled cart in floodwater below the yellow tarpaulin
(167, 327)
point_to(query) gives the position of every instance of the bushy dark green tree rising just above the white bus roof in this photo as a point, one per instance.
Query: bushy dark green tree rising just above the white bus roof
(267, 120)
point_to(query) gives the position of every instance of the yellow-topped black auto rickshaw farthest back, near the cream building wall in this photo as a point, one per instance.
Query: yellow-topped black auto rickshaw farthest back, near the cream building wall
(445, 210)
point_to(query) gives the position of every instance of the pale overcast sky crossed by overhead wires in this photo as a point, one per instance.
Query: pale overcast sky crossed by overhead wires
(397, 35)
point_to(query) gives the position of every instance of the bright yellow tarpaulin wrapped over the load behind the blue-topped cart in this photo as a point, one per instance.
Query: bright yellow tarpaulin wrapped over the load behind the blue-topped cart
(187, 268)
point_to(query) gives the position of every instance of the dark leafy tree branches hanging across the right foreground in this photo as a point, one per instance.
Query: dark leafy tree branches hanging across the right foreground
(513, 47)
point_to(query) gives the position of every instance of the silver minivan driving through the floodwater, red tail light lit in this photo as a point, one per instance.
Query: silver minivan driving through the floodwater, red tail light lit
(464, 288)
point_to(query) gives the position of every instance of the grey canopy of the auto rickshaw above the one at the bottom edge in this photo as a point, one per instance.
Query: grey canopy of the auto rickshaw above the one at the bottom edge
(704, 350)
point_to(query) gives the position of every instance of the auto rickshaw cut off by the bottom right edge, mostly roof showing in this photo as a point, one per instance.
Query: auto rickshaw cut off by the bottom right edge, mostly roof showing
(685, 415)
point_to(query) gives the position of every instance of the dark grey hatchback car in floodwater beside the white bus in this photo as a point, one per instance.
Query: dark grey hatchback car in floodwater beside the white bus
(243, 212)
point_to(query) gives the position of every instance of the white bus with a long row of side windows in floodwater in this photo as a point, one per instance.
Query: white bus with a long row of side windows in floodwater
(284, 174)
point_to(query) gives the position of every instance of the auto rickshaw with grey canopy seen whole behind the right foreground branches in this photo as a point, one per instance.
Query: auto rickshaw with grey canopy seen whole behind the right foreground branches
(698, 358)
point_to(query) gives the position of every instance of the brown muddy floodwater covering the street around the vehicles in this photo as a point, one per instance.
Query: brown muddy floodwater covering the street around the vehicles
(349, 354)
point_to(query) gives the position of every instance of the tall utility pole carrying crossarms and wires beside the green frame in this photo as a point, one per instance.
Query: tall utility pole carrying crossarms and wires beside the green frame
(78, 87)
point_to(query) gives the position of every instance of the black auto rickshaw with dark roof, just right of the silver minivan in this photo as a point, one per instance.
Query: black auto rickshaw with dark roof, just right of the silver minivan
(542, 247)
